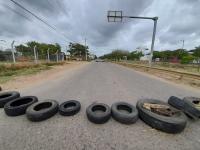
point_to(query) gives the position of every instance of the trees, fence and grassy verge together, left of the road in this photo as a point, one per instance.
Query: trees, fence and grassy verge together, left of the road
(33, 57)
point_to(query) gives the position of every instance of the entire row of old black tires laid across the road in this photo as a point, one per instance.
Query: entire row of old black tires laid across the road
(170, 119)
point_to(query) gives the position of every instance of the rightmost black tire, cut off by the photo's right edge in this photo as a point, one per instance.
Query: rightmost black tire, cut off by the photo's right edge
(190, 107)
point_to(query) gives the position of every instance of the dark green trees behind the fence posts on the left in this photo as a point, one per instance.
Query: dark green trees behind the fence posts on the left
(75, 50)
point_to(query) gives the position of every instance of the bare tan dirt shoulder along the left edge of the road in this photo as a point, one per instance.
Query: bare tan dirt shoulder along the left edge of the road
(21, 82)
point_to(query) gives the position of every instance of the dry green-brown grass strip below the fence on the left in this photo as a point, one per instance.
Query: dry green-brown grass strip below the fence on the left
(8, 72)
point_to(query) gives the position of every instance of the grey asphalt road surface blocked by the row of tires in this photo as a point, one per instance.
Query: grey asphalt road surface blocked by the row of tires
(97, 82)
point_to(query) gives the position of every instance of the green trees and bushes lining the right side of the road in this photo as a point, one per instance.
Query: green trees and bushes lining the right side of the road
(181, 59)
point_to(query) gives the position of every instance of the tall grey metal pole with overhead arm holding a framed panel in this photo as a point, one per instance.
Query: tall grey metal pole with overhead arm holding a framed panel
(117, 16)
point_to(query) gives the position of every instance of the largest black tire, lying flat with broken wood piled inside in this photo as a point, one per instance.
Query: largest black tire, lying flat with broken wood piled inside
(173, 124)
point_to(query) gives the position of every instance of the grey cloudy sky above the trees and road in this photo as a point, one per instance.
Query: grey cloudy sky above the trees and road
(76, 20)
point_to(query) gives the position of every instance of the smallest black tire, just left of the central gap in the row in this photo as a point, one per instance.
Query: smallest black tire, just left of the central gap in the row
(69, 108)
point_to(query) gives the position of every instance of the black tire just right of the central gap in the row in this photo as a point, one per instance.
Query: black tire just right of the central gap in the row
(98, 118)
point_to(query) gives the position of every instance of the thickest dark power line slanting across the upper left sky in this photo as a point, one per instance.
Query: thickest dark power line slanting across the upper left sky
(40, 19)
